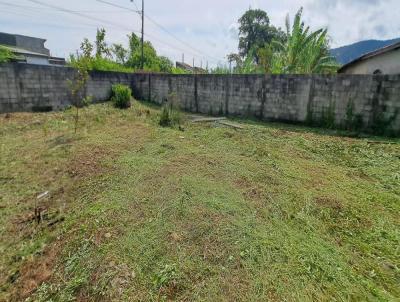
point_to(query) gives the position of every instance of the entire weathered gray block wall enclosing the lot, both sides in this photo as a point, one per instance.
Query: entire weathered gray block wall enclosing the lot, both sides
(375, 100)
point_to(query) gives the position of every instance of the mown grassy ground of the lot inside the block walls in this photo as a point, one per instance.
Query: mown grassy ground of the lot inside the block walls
(136, 212)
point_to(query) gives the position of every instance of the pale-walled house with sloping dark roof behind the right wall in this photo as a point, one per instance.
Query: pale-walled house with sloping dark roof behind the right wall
(385, 60)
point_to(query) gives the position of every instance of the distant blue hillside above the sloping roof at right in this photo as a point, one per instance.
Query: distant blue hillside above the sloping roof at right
(348, 53)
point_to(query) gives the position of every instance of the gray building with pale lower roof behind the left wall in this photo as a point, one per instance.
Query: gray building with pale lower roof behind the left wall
(29, 50)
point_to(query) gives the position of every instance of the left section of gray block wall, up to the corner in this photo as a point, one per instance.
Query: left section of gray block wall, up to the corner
(25, 87)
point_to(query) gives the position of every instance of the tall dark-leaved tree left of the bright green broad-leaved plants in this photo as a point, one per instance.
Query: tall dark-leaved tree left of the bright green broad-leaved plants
(255, 31)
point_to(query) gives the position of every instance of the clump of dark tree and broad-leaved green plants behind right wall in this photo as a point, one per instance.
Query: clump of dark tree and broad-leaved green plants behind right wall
(265, 49)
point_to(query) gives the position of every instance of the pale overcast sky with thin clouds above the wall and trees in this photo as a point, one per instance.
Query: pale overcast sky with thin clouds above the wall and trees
(205, 30)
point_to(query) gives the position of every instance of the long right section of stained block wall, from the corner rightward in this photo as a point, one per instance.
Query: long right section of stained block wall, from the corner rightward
(287, 98)
